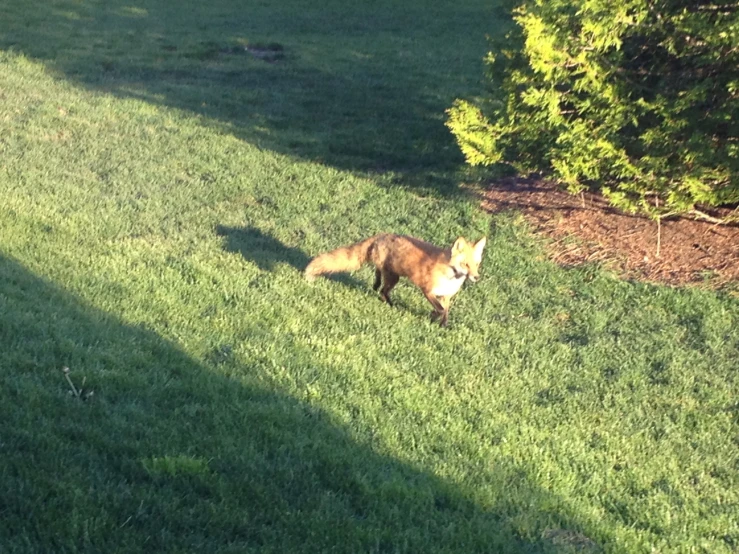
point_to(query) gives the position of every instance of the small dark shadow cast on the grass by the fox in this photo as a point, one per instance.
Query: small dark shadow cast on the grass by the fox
(266, 251)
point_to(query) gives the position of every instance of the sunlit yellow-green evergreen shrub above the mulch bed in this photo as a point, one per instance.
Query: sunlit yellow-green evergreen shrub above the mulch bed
(639, 98)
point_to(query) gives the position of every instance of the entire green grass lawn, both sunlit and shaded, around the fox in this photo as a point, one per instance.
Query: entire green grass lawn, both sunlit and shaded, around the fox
(160, 193)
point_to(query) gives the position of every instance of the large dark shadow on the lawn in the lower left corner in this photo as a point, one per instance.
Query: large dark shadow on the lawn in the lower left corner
(172, 454)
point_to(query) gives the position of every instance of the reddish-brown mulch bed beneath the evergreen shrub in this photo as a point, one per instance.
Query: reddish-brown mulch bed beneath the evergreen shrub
(588, 229)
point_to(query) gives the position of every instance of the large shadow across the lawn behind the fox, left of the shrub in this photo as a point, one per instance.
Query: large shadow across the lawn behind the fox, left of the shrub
(363, 108)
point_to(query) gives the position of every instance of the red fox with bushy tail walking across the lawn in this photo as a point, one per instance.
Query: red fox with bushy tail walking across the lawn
(438, 272)
